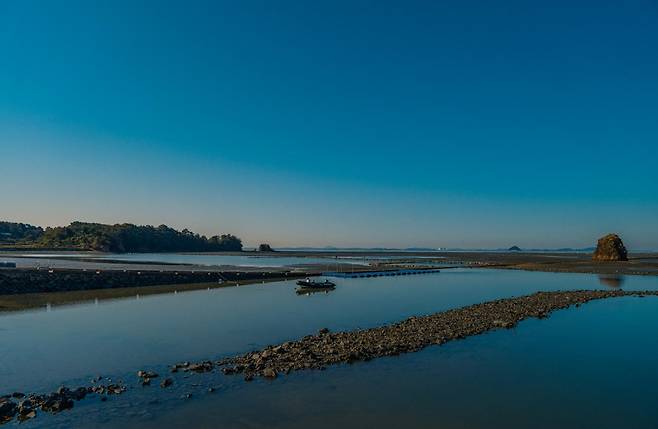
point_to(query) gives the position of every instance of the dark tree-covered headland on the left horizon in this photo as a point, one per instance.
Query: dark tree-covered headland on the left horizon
(119, 238)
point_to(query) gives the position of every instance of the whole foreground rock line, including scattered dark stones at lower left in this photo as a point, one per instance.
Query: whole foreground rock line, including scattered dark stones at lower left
(326, 348)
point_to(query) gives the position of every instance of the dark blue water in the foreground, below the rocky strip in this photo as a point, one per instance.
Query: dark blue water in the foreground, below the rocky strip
(591, 367)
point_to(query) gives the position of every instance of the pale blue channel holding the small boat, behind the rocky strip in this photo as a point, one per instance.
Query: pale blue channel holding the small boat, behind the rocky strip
(122, 335)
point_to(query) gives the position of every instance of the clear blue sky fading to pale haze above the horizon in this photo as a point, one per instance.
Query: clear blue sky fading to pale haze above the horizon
(345, 123)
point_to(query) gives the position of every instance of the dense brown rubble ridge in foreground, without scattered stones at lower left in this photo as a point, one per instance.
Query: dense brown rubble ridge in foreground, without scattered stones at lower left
(413, 334)
